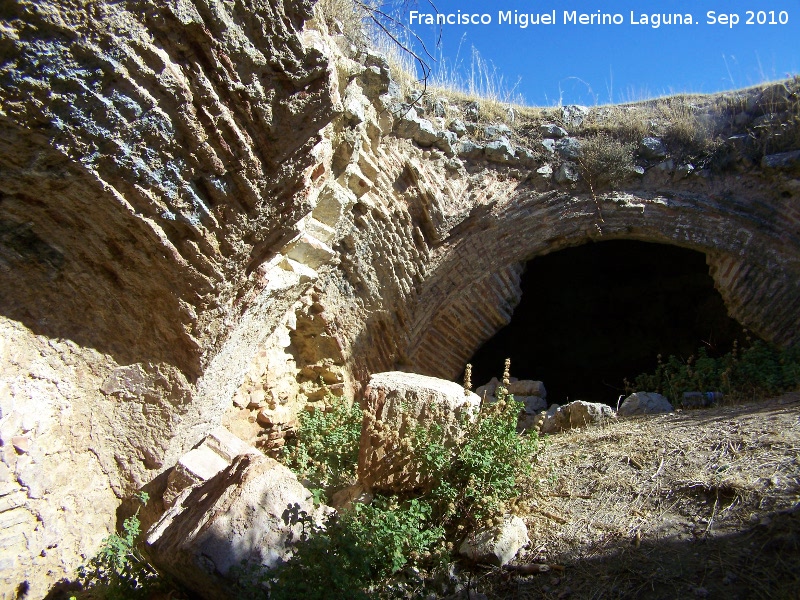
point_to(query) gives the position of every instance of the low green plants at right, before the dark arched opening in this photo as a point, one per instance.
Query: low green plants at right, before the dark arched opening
(758, 370)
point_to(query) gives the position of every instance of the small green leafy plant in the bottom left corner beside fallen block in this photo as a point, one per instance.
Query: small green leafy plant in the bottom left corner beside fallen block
(119, 571)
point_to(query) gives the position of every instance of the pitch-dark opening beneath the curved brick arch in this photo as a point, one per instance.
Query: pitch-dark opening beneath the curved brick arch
(594, 314)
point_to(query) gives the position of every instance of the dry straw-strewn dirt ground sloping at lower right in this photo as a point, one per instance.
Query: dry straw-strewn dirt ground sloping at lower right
(694, 504)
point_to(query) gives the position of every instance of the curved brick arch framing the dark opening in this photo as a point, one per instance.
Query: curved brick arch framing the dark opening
(474, 285)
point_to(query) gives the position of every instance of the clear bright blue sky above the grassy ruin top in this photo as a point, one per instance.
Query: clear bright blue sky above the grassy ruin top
(595, 64)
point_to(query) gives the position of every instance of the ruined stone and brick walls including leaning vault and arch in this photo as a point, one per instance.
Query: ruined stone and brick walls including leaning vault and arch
(217, 214)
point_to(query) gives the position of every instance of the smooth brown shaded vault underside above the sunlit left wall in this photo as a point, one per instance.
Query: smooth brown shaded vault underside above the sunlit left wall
(75, 265)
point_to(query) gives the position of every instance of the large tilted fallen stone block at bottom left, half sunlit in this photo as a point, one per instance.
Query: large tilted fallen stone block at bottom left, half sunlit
(241, 516)
